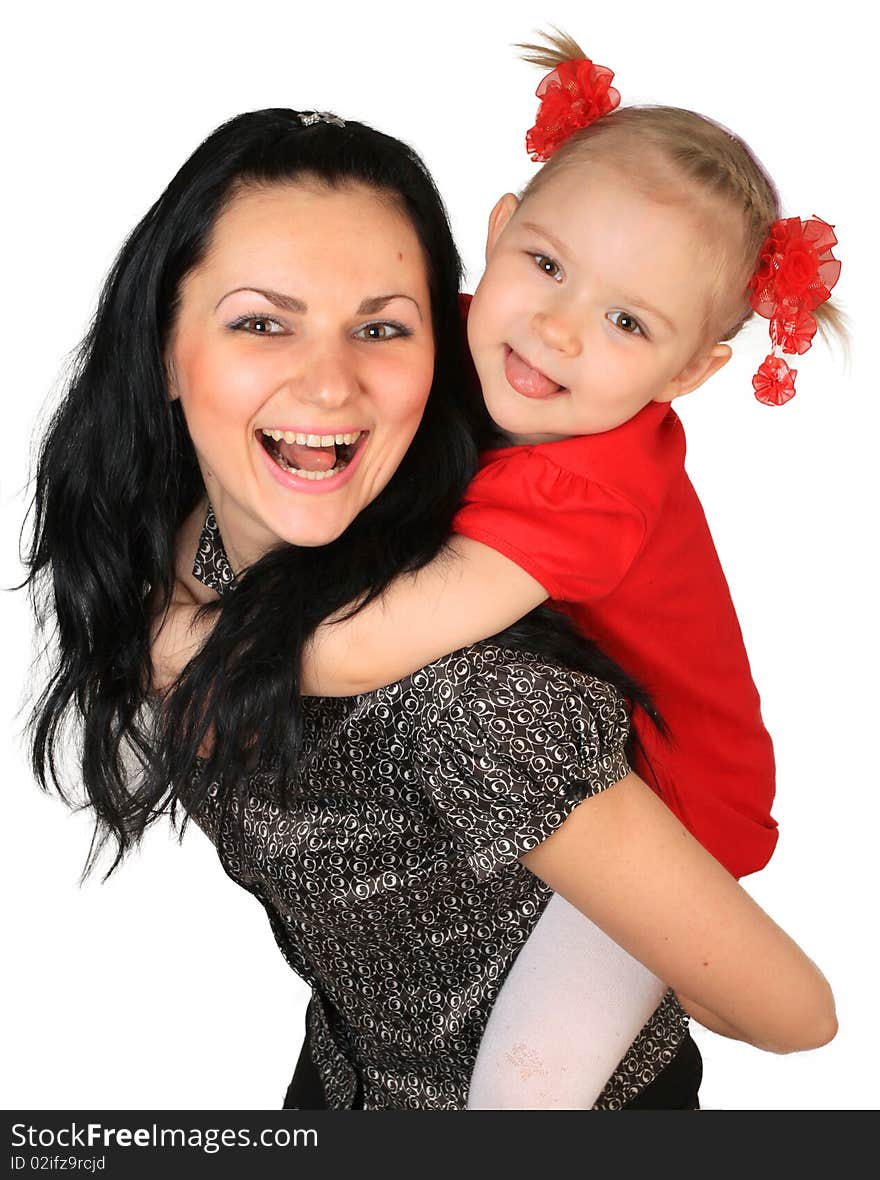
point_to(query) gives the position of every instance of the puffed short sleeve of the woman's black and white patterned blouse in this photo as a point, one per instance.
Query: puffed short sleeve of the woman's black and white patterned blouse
(509, 753)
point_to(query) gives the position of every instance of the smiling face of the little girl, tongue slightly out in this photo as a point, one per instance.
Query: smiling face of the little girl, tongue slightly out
(595, 303)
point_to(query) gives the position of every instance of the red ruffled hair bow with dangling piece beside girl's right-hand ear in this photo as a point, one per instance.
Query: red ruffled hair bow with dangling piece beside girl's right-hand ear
(797, 272)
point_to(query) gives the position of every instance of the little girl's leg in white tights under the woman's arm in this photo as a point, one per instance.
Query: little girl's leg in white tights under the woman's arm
(567, 1014)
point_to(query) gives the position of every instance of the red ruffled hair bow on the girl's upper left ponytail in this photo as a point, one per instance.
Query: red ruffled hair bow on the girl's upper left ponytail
(573, 96)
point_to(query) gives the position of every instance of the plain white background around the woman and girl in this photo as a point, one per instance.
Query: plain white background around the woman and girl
(163, 988)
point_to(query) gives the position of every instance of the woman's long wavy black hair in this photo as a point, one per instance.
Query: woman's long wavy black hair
(117, 476)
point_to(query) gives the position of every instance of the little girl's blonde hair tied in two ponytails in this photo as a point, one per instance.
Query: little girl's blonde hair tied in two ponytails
(660, 147)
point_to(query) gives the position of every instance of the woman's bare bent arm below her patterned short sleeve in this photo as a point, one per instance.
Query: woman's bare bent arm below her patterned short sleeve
(626, 862)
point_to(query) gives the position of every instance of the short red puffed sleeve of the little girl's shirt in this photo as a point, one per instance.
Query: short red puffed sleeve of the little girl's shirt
(577, 537)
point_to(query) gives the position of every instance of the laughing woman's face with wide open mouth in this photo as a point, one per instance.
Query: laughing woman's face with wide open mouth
(303, 356)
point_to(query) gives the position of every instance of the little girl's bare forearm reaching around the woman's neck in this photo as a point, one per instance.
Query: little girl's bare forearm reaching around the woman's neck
(467, 594)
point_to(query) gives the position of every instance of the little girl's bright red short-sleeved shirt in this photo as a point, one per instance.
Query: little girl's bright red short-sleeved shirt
(610, 526)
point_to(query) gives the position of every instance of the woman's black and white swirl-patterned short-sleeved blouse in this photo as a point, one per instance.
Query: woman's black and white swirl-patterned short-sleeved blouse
(392, 882)
